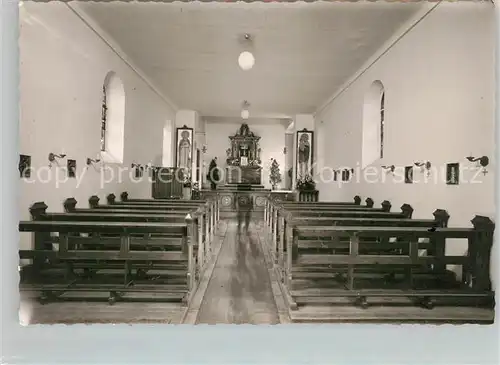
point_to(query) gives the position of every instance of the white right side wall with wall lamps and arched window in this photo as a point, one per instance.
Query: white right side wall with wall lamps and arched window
(439, 85)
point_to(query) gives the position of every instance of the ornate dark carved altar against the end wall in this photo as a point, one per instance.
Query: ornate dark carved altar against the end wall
(243, 158)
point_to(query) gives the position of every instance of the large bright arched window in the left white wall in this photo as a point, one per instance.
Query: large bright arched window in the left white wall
(113, 119)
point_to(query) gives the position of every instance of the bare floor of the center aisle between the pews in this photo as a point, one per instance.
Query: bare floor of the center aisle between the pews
(239, 291)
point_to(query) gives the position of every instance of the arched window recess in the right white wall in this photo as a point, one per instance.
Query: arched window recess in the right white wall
(373, 124)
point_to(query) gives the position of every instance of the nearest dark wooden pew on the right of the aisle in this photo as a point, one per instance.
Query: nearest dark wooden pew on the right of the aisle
(474, 290)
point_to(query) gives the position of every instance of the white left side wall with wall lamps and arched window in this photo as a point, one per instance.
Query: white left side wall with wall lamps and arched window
(63, 64)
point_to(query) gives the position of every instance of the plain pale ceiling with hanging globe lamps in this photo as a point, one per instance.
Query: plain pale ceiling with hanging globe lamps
(304, 51)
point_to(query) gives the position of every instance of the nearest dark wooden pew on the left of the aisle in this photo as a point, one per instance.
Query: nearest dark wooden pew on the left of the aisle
(94, 246)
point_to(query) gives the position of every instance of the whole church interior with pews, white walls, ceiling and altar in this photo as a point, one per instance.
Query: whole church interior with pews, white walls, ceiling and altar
(261, 163)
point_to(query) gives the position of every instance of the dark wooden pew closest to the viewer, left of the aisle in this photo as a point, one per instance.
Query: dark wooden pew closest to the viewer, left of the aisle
(71, 238)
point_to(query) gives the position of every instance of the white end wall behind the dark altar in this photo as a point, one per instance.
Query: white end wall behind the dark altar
(272, 143)
